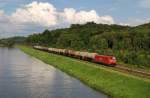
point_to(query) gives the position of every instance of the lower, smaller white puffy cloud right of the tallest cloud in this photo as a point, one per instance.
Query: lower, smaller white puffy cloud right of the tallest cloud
(70, 15)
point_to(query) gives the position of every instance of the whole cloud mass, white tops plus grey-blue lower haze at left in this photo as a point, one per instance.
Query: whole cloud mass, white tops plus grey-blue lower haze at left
(38, 16)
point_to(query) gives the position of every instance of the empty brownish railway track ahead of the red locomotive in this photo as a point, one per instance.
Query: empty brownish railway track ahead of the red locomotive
(140, 72)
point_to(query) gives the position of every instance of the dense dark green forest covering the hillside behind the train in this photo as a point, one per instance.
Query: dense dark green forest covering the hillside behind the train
(131, 45)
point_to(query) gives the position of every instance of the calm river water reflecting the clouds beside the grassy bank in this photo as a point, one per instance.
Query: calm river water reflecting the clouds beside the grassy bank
(22, 76)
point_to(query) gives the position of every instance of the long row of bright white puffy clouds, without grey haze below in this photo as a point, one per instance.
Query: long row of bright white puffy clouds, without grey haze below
(45, 14)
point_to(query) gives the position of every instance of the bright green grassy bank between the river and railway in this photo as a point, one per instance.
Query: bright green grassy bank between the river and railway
(113, 83)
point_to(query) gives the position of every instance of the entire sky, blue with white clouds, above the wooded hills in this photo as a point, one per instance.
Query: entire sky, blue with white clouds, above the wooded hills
(25, 17)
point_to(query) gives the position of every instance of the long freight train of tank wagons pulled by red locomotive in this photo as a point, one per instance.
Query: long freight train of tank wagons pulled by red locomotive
(93, 57)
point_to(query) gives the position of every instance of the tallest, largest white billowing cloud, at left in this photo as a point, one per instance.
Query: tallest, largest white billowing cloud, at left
(37, 13)
